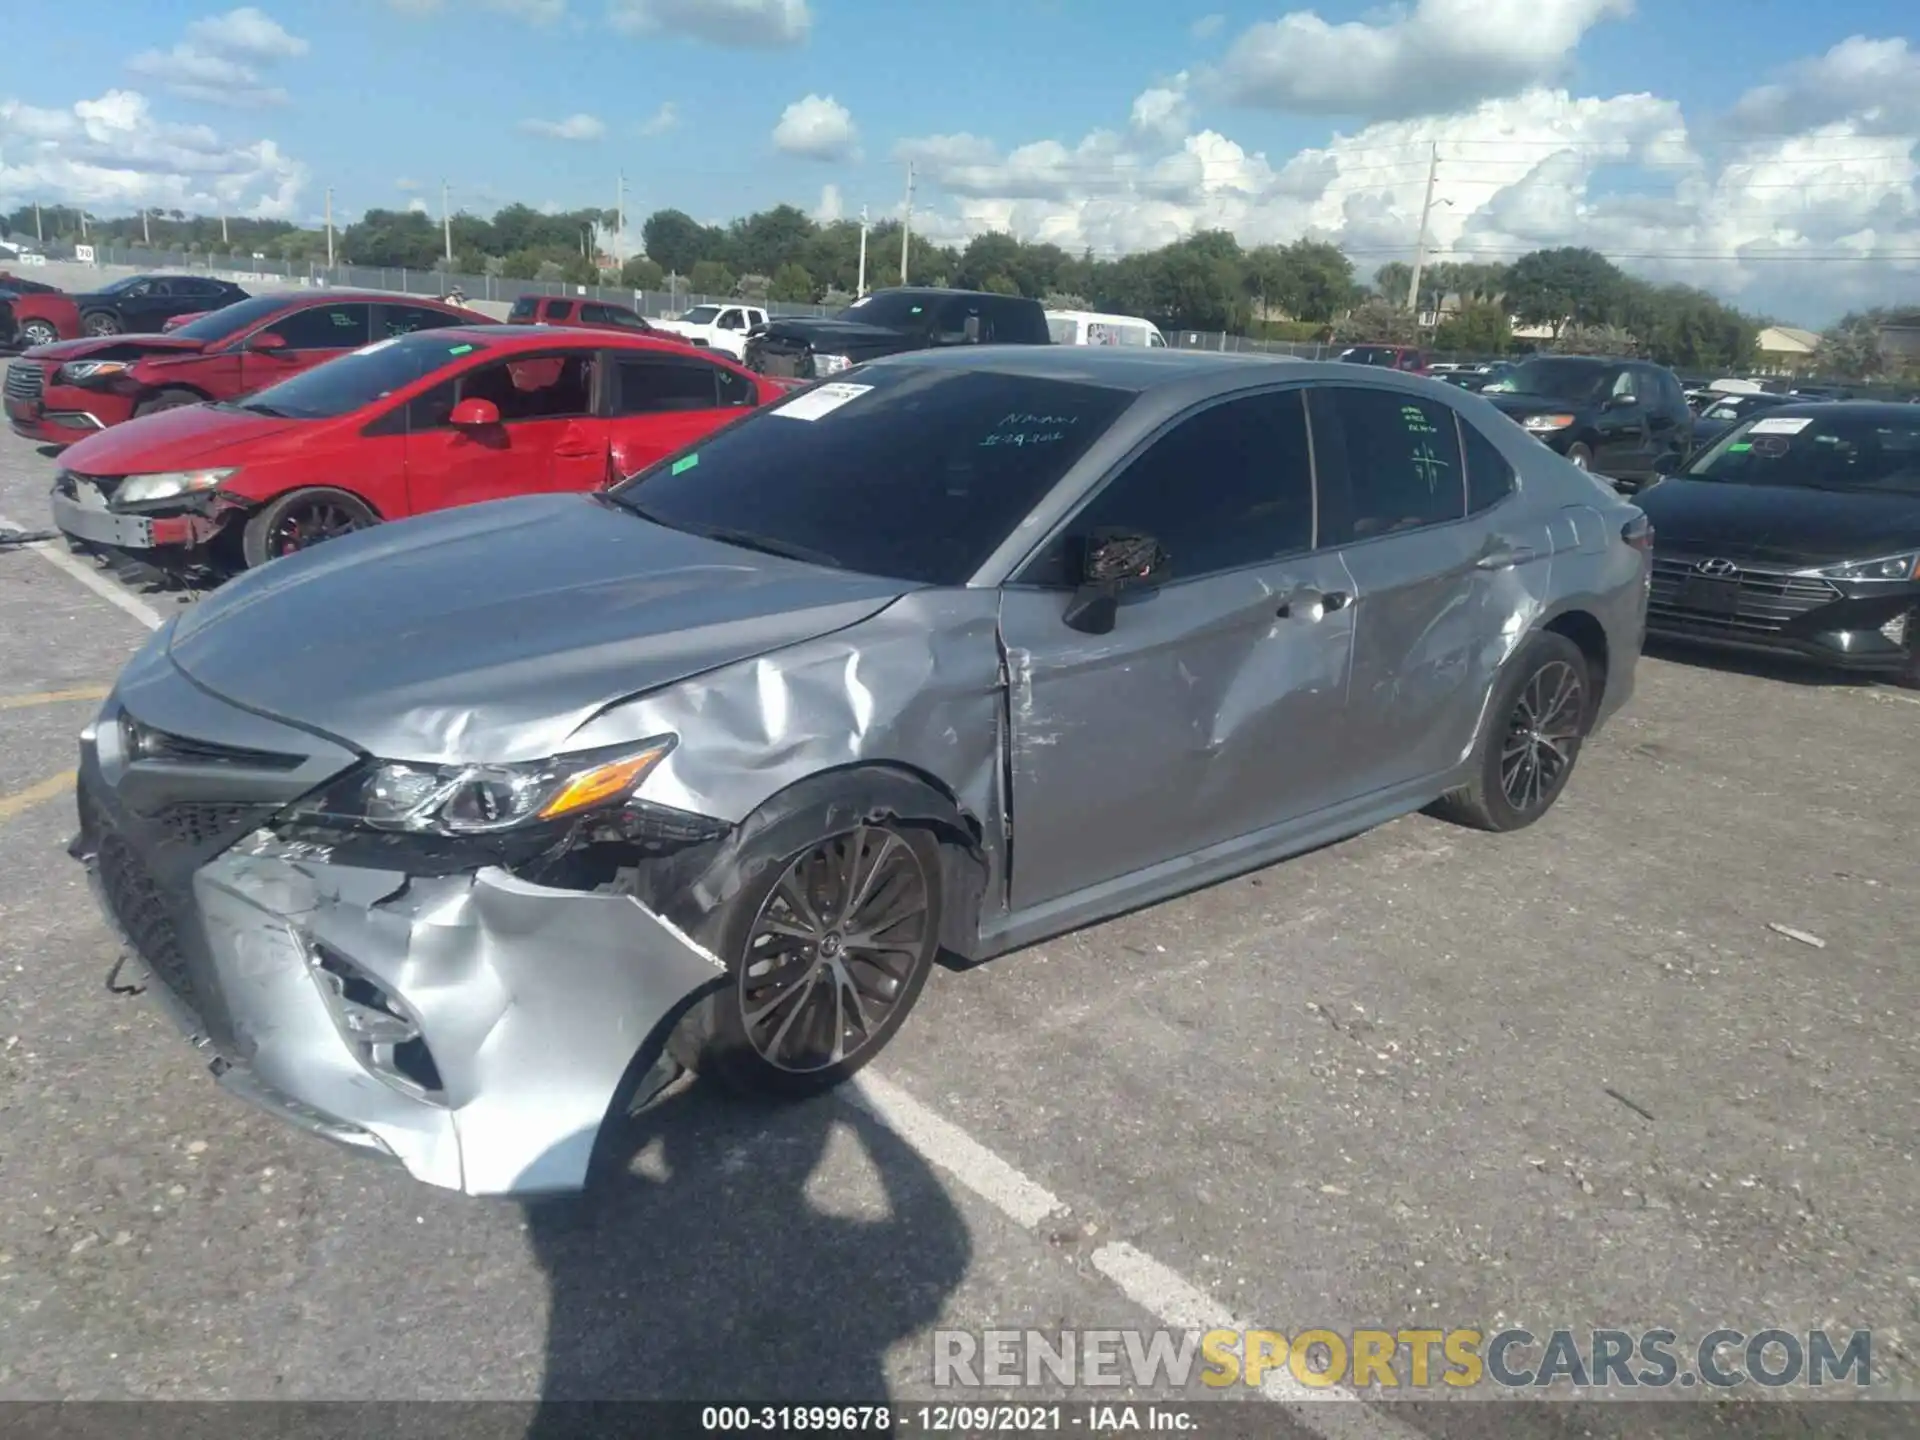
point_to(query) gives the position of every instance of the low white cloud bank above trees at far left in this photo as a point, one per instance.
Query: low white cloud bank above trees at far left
(114, 155)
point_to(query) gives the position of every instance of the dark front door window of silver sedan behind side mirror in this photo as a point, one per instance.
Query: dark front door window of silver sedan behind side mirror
(1222, 491)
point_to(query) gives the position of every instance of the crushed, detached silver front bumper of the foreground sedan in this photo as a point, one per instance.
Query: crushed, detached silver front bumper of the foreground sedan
(475, 1028)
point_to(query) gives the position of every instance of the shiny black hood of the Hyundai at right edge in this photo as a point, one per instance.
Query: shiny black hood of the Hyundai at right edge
(1779, 525)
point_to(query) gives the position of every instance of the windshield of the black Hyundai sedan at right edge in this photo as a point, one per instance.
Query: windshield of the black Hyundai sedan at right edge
(1817, 452)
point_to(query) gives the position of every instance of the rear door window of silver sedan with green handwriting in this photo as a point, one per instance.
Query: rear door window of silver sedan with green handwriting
(1403, 460)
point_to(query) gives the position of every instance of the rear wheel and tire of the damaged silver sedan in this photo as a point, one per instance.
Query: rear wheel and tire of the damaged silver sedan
(1535, 727)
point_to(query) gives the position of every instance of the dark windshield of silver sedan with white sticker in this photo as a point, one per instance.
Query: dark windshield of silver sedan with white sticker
(913, 473)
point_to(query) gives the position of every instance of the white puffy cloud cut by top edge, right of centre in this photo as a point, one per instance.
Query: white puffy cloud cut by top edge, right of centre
(1437, 57)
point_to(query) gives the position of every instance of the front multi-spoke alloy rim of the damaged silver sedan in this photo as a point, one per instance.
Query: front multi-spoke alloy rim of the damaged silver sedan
(832, 953)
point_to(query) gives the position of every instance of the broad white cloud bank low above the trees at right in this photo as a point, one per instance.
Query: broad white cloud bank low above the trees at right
(1769, 224)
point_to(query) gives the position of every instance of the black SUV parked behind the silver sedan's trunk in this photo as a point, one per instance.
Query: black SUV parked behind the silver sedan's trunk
(1623, 420)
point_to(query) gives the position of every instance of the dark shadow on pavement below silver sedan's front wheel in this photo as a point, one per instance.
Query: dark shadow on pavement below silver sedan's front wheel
(700, 1264)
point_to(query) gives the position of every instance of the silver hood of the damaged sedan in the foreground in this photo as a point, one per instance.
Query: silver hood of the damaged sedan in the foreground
(492, 633)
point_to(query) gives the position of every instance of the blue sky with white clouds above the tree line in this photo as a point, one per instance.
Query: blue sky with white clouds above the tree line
(1756, 147)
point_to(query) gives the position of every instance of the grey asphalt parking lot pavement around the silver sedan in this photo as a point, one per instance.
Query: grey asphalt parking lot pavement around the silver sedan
(1572, 1078)
